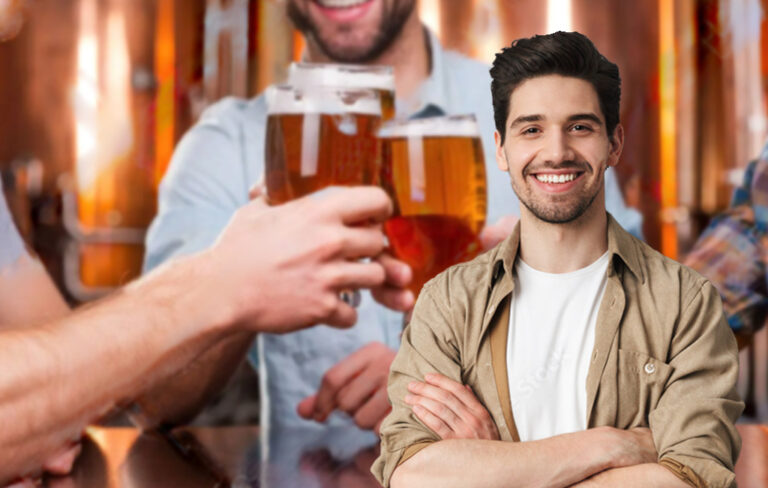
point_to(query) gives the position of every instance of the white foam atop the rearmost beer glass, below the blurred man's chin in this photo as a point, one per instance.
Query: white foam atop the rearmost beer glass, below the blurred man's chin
(341, 75)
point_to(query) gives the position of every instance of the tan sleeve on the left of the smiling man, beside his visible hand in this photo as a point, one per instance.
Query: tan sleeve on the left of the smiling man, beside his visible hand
(428, 346)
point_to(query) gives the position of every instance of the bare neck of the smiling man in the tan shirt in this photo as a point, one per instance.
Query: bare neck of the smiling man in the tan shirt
(562, 248)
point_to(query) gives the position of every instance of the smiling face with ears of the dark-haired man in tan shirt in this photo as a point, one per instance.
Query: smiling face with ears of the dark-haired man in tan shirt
(556, 147)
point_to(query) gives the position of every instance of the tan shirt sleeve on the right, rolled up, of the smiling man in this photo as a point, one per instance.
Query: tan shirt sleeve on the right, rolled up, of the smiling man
(693, 425)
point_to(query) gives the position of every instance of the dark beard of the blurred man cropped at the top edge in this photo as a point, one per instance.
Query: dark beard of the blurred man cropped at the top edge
(391, 25)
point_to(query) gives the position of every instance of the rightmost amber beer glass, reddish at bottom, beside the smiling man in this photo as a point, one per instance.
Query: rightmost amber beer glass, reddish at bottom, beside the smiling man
(434, 170)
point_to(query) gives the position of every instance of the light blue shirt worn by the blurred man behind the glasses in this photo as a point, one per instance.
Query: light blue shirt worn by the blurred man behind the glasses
(220, 158)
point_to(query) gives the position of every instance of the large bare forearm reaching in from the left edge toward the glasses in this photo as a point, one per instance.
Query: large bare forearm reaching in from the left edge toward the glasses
(59, 377)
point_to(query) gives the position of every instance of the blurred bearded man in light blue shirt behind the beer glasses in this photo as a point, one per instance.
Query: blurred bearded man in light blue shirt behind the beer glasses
(319, 372)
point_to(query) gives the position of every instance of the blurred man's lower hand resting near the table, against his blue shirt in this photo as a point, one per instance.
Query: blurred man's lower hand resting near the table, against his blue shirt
(357, 385)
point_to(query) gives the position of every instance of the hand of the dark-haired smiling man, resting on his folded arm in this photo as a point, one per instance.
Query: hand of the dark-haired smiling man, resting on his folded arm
(450, 409)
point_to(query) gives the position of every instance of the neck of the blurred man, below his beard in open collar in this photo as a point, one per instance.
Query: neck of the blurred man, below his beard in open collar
(409, 55)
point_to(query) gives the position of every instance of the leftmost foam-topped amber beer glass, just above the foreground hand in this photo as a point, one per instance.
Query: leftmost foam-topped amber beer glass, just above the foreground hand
(320, 137)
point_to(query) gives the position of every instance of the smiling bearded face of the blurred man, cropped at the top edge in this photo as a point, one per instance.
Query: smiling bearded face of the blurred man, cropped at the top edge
(351, 31)
